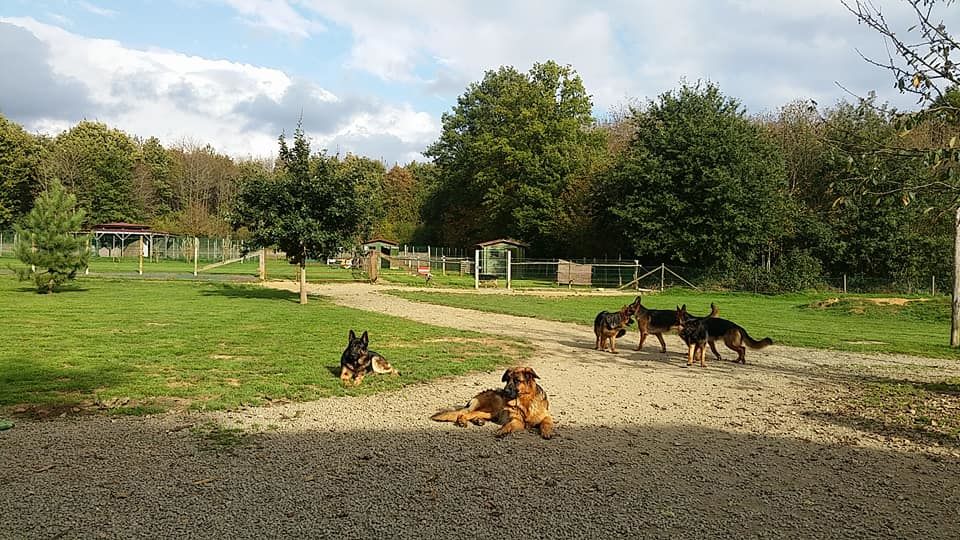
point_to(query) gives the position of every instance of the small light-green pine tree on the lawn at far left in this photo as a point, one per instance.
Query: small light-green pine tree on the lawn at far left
(48, 243)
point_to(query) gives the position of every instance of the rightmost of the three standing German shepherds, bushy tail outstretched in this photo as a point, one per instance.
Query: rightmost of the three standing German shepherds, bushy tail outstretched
(701, 331)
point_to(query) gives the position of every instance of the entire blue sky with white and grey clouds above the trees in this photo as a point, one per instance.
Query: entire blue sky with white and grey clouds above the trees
(374, 77)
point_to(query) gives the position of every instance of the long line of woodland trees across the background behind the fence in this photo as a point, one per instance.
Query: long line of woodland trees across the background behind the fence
(768, 201)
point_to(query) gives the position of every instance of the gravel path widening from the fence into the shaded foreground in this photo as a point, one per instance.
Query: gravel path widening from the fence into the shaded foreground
(645, 448)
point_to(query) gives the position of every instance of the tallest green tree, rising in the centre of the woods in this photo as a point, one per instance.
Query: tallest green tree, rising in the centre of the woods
(507, 153)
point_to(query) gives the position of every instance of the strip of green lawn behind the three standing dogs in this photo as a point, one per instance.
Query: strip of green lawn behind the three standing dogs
(854, 323)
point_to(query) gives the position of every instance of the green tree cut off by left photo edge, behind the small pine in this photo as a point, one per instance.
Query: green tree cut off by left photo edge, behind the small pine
(20, 155)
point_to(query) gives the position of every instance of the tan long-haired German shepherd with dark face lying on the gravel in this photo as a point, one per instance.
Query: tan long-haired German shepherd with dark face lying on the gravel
(521, 404)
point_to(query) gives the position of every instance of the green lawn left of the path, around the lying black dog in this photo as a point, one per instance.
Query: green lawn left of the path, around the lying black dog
(142, 346)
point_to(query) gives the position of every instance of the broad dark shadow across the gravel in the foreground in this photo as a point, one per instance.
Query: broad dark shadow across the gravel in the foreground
(431, 480)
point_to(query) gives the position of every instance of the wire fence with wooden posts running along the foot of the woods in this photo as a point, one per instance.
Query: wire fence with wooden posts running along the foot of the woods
(221, 257)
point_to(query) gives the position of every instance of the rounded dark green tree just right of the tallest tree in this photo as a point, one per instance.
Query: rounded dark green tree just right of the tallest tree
(698, 183)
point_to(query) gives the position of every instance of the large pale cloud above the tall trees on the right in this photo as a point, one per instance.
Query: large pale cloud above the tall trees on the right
(622, 48)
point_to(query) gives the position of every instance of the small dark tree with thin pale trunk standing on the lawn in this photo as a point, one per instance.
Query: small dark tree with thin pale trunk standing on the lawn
(306, 209)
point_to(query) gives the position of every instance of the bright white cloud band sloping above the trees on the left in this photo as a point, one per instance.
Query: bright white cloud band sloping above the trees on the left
(175, 96)
